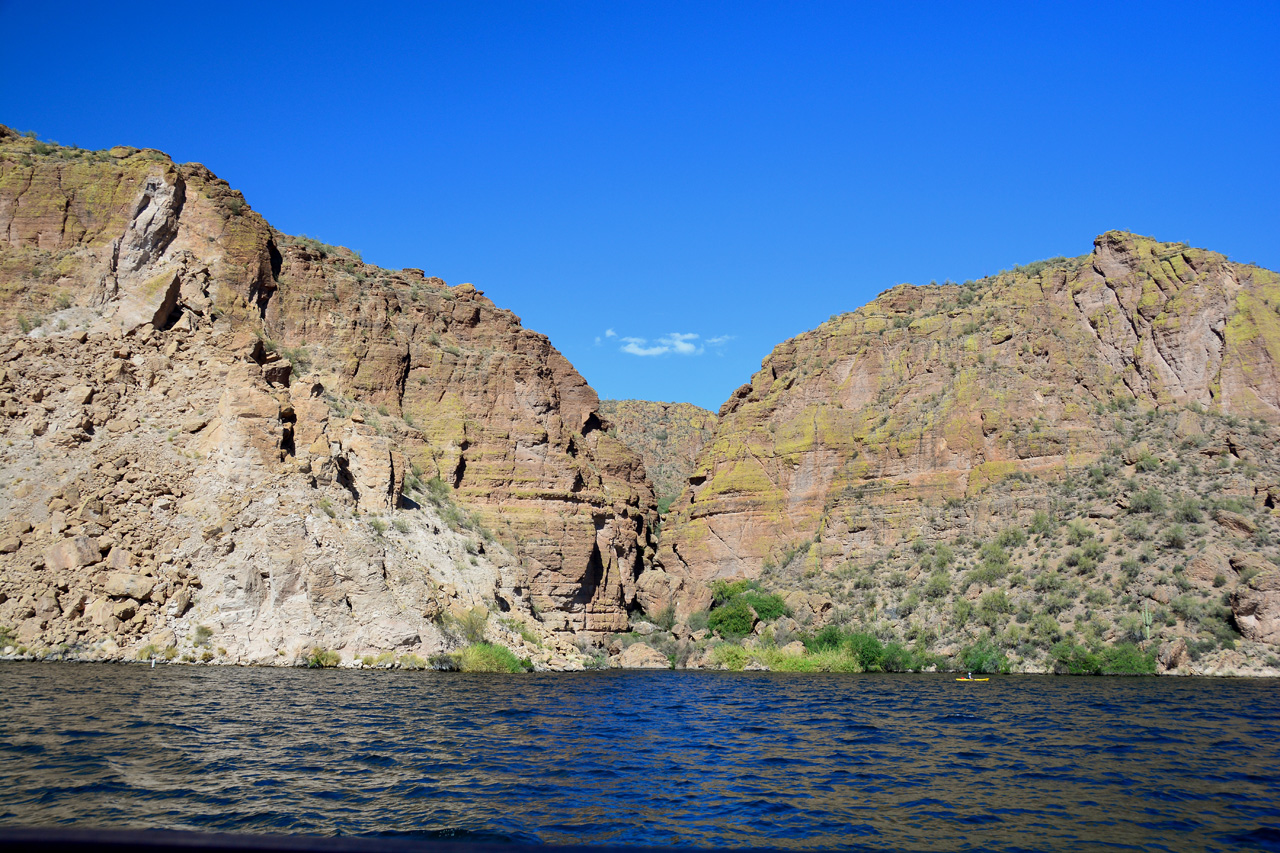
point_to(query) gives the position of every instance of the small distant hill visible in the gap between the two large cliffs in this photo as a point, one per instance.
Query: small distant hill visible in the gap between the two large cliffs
(666, 436)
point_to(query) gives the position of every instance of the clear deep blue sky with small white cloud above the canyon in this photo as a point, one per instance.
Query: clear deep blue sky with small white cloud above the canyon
(668, 190)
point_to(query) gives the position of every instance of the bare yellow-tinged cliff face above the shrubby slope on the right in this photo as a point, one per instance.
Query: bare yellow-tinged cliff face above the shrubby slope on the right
(931, 395)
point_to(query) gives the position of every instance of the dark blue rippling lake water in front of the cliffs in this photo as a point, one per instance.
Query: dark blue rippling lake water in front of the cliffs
(655, 759)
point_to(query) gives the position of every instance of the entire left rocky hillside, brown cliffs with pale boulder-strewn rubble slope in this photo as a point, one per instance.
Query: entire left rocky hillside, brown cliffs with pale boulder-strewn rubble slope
(211, 425)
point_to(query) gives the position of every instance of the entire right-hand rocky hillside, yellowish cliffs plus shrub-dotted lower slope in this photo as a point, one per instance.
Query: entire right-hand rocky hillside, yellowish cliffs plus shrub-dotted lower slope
(1060, 451)
